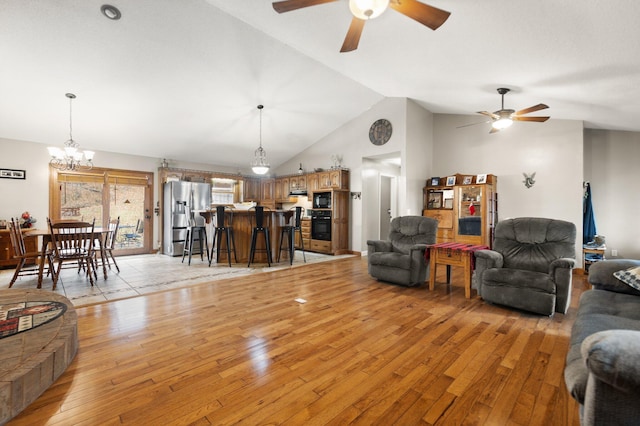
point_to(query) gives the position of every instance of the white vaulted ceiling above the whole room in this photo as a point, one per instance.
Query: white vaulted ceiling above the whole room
(181, 79)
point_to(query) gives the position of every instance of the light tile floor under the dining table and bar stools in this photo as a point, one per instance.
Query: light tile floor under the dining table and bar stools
(143, 274)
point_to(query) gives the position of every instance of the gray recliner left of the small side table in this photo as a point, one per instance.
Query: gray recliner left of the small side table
(400, 259)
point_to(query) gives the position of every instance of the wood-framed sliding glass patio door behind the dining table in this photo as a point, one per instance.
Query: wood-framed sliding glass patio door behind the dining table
(103, 195)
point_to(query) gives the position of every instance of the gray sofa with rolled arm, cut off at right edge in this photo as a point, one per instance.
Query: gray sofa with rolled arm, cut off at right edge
(602, 370)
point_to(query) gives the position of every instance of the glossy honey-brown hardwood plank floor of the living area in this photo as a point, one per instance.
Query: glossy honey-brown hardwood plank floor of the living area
(357, 352)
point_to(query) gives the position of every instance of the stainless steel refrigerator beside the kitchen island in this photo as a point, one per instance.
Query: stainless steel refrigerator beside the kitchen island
(182, 201)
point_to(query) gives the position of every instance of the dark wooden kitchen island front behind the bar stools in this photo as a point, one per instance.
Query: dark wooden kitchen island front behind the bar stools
(242, 228)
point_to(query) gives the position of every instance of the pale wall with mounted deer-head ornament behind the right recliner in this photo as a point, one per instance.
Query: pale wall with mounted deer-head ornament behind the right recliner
(552, 150)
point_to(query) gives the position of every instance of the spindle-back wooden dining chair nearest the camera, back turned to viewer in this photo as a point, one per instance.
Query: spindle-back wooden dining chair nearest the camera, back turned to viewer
(72, 243)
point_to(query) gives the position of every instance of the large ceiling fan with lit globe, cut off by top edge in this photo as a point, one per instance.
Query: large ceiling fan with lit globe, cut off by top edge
(364, 10)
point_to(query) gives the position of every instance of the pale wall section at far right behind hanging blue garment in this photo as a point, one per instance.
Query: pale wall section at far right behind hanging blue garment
(611, 166)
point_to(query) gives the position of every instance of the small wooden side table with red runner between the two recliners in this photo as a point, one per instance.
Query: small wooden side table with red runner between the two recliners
(453, 254)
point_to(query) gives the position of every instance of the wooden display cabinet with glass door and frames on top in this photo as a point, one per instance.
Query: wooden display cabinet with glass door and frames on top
(466, 211)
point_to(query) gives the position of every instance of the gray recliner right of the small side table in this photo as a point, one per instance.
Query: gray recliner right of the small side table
(530, 265)
